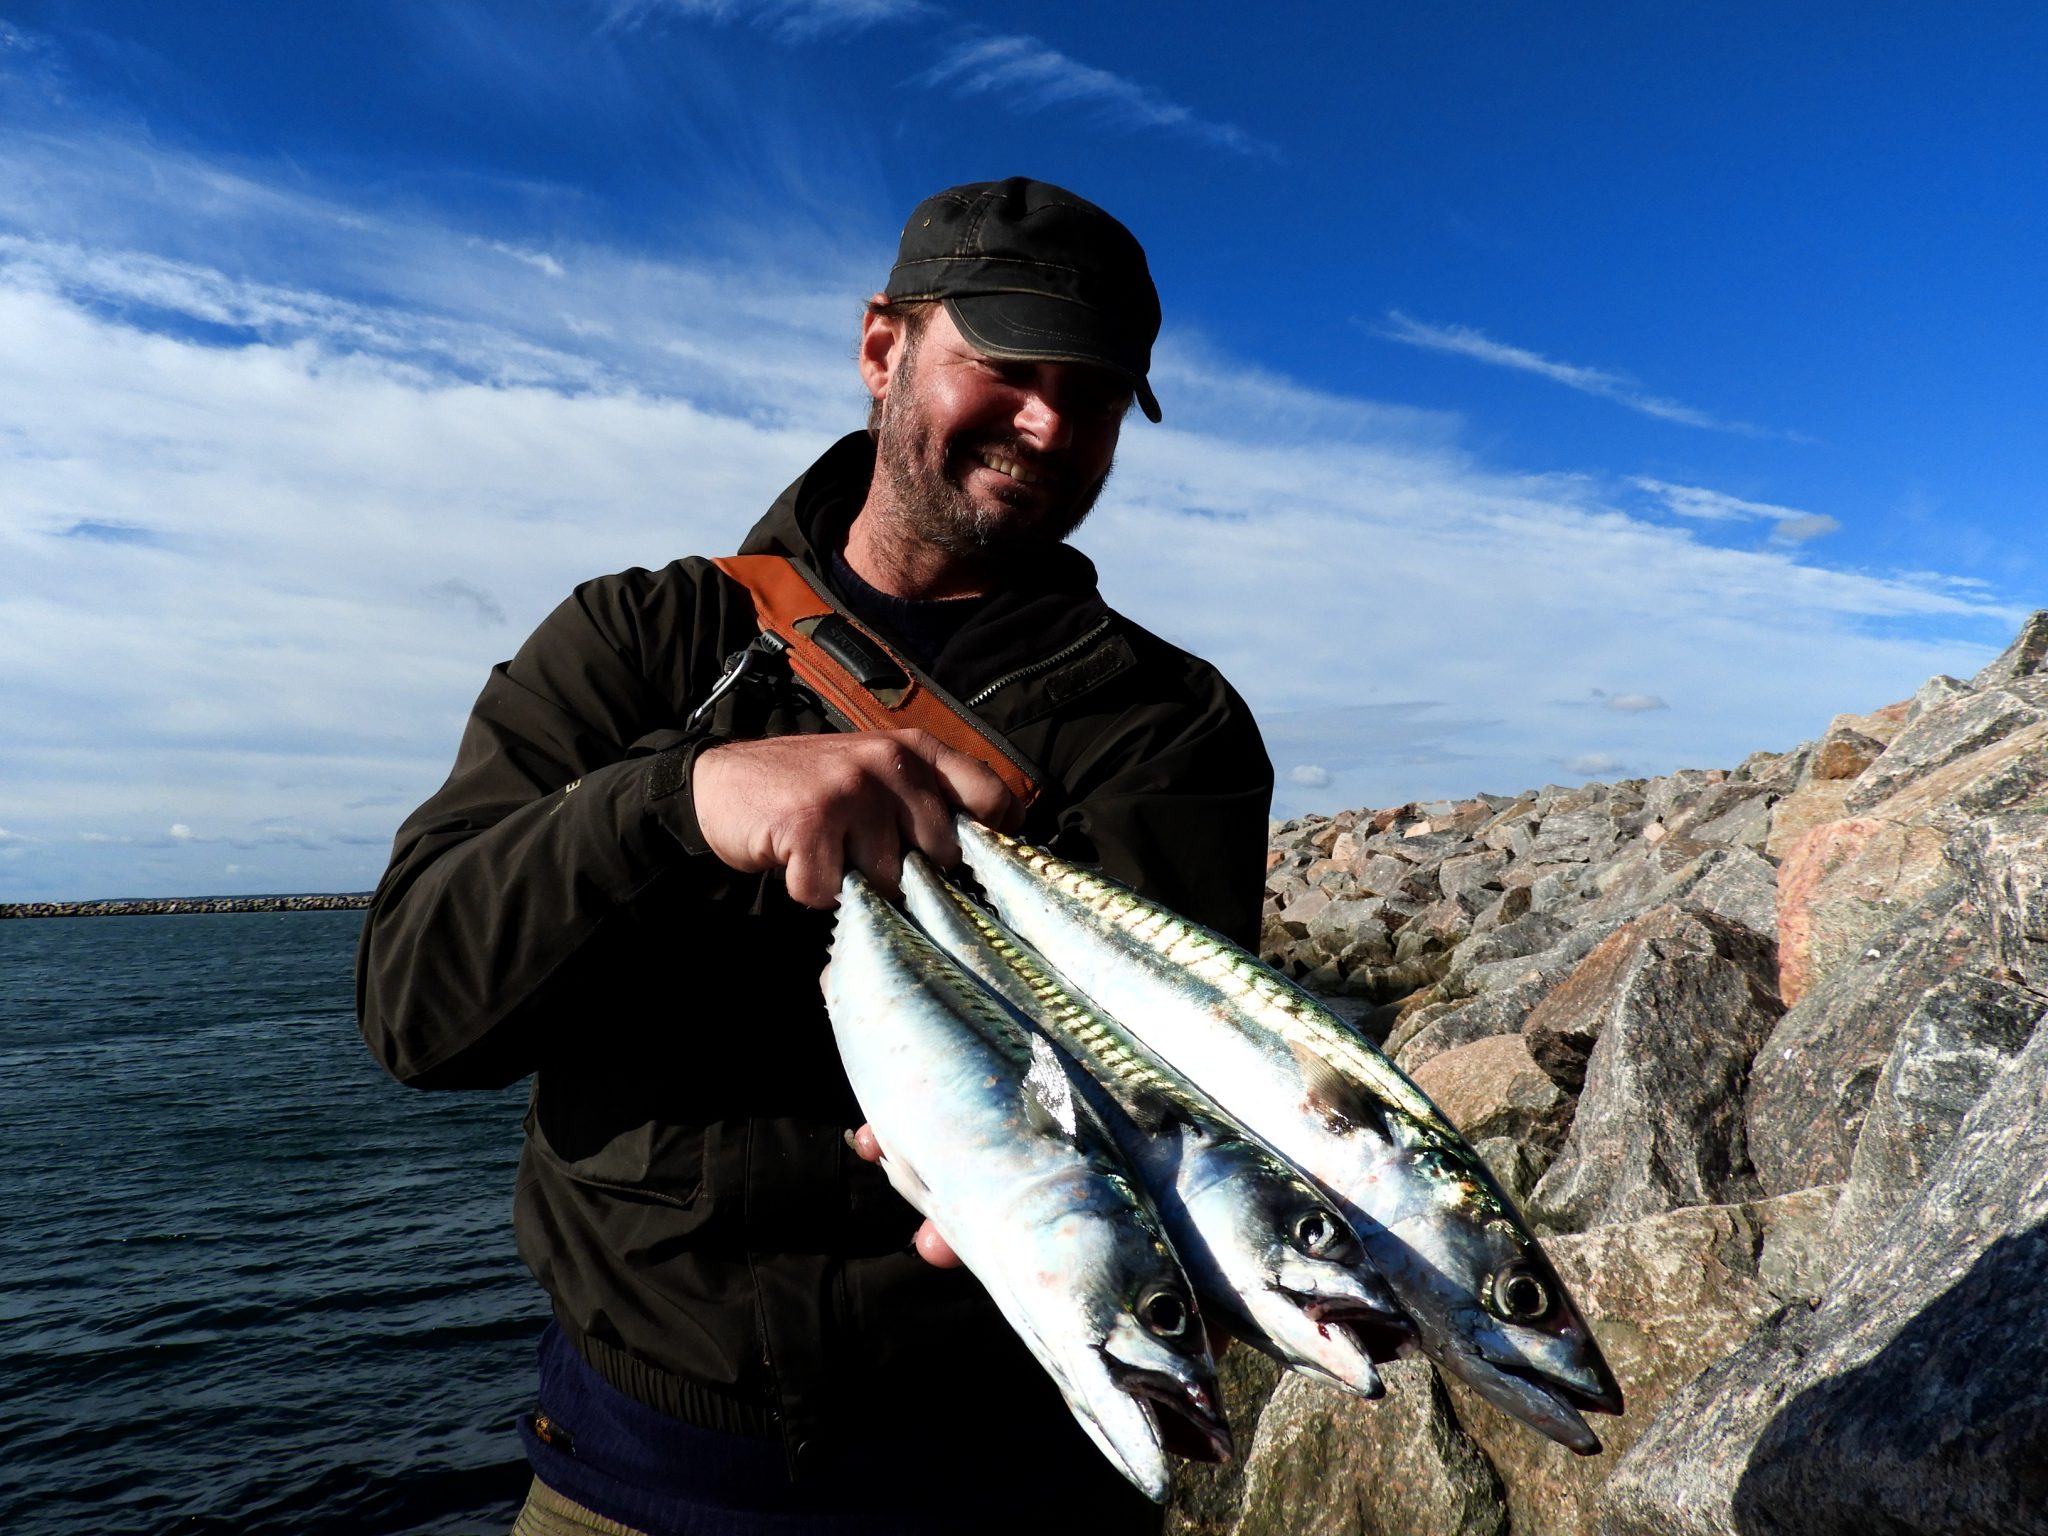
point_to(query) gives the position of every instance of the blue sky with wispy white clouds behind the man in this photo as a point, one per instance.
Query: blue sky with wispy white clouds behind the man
(1551, 392)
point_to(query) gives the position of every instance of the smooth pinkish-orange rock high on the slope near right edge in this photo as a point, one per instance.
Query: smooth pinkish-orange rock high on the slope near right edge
(1840, 886)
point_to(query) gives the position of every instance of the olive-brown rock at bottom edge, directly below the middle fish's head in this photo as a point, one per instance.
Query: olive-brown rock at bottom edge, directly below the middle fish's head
(1330, 1465)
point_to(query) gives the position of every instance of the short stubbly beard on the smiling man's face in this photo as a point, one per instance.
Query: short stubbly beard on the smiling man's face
(931, 505)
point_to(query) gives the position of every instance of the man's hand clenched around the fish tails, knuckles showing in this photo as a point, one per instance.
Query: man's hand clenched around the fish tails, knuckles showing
(814, 806)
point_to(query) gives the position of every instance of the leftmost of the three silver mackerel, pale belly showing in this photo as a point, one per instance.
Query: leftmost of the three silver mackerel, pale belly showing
(1023, 1185)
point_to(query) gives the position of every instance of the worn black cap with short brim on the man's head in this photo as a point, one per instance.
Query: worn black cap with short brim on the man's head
(1031, 271)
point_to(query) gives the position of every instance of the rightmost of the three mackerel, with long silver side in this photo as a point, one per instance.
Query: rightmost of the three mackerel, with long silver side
(1437, 1226)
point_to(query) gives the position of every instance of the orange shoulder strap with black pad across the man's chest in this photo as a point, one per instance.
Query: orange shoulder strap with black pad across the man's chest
(865, 685)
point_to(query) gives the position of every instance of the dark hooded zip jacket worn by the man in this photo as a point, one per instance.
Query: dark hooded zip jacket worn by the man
(685, 1193)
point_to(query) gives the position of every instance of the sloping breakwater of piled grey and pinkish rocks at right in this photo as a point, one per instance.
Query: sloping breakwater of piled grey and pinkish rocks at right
(1758, 1052)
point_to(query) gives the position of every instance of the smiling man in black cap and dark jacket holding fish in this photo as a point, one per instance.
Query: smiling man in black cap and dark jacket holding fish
(626, 892)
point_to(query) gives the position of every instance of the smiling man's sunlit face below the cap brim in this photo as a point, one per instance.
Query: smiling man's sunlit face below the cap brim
(984, 456)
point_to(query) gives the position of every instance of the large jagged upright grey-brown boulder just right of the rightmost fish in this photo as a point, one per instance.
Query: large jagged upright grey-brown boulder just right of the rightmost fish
(1674, 1005)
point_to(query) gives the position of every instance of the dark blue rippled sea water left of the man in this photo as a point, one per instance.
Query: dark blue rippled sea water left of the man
(247, 1281)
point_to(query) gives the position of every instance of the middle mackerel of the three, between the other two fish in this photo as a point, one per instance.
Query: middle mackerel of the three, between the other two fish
(1263, 1246)
